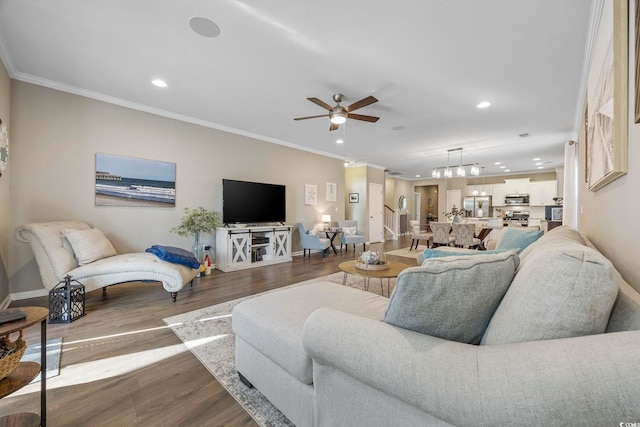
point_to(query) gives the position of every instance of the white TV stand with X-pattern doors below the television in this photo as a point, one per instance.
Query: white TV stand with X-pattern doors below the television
(252, 246)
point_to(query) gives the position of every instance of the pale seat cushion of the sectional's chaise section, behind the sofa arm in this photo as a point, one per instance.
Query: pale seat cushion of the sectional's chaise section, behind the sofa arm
(272, 323)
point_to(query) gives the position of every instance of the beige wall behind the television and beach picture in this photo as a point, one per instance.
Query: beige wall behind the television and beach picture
(56, 136)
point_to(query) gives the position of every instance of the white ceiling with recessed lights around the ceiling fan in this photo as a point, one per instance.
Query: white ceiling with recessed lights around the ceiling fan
(428, 62)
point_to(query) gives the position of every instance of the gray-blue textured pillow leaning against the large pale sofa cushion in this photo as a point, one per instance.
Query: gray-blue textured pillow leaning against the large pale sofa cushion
(453, 297)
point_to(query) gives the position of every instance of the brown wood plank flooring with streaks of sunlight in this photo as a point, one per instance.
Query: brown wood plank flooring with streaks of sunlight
(121, 365)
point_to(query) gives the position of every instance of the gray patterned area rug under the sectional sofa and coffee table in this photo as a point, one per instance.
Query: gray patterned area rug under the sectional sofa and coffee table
(207, 334)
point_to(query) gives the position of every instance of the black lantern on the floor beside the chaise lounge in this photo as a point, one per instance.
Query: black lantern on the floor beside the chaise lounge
(66, 301)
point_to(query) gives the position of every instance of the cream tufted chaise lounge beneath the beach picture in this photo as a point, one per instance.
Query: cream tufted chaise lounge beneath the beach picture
(56, 258)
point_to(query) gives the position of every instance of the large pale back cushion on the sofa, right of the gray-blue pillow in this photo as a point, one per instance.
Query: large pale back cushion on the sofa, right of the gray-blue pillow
(561, 290)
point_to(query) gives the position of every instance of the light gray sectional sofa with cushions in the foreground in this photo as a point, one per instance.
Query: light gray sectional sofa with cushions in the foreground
(547, 337)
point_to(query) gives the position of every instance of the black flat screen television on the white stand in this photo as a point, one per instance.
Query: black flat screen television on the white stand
(252, 202)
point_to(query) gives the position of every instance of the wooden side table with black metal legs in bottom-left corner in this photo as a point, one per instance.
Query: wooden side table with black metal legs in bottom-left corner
(26, 371)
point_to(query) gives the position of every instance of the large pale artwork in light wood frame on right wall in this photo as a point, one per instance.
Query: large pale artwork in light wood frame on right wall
(607, 95)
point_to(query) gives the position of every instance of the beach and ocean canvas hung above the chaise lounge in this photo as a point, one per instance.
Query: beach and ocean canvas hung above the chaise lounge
(129, 181)
